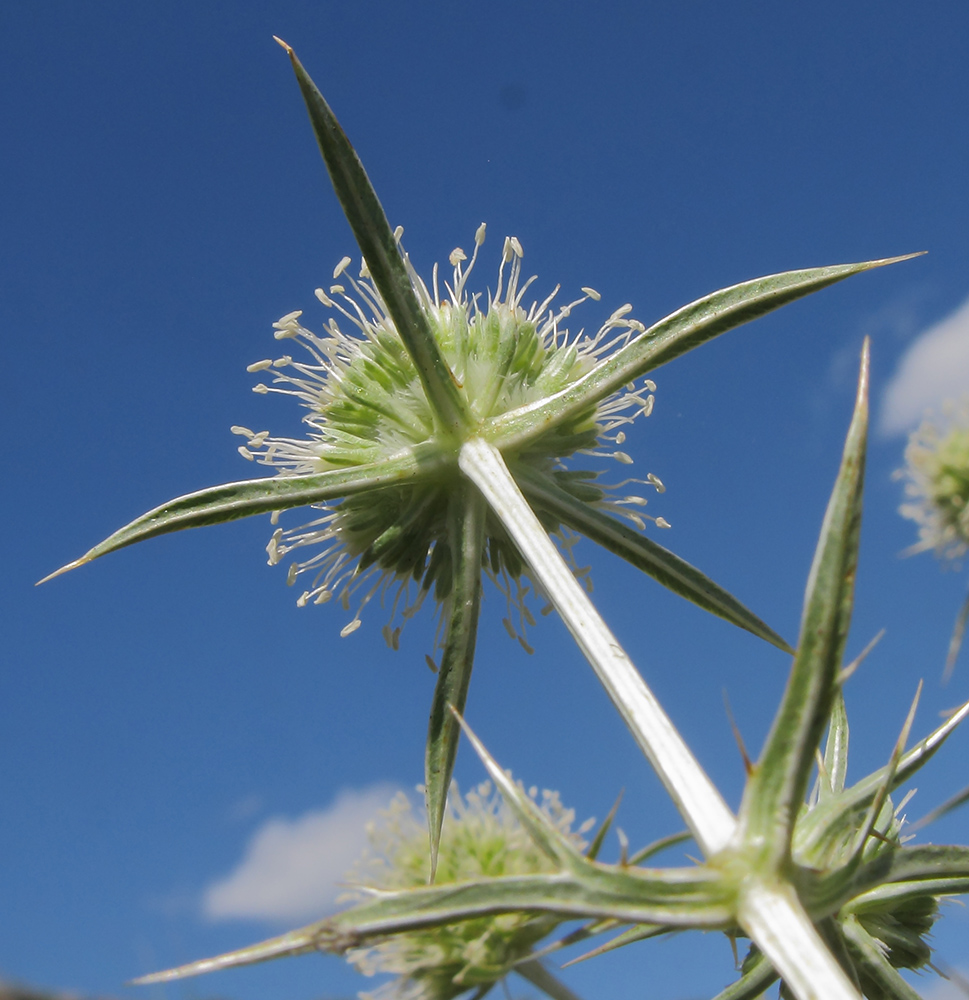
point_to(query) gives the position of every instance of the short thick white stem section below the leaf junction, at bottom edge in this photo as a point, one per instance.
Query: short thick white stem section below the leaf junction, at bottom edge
(774, 918)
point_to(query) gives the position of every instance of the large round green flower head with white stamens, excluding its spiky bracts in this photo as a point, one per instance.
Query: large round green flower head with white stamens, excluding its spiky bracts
(366, 404)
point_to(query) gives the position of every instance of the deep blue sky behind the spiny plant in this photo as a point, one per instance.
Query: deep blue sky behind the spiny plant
(163, 203)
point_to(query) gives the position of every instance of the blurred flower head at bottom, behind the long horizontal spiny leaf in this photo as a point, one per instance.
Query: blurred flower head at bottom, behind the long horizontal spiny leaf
(481, 838)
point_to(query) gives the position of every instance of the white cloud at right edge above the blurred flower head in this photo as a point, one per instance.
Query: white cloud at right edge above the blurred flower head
(935, 366)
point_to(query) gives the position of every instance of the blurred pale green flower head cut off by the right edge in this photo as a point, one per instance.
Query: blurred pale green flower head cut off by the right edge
(937, 482)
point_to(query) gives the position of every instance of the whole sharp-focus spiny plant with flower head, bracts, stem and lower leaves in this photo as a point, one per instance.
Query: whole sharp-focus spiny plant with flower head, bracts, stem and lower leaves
(444, 423)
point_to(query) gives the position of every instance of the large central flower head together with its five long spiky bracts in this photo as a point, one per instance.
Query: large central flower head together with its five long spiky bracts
(406, 414)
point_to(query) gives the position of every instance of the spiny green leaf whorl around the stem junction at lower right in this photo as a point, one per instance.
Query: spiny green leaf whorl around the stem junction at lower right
(832, 898)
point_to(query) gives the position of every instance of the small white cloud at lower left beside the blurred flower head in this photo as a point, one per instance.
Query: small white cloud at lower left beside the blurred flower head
(291, 867)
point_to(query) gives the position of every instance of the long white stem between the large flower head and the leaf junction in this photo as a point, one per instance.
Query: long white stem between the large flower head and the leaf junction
(697, 798)
